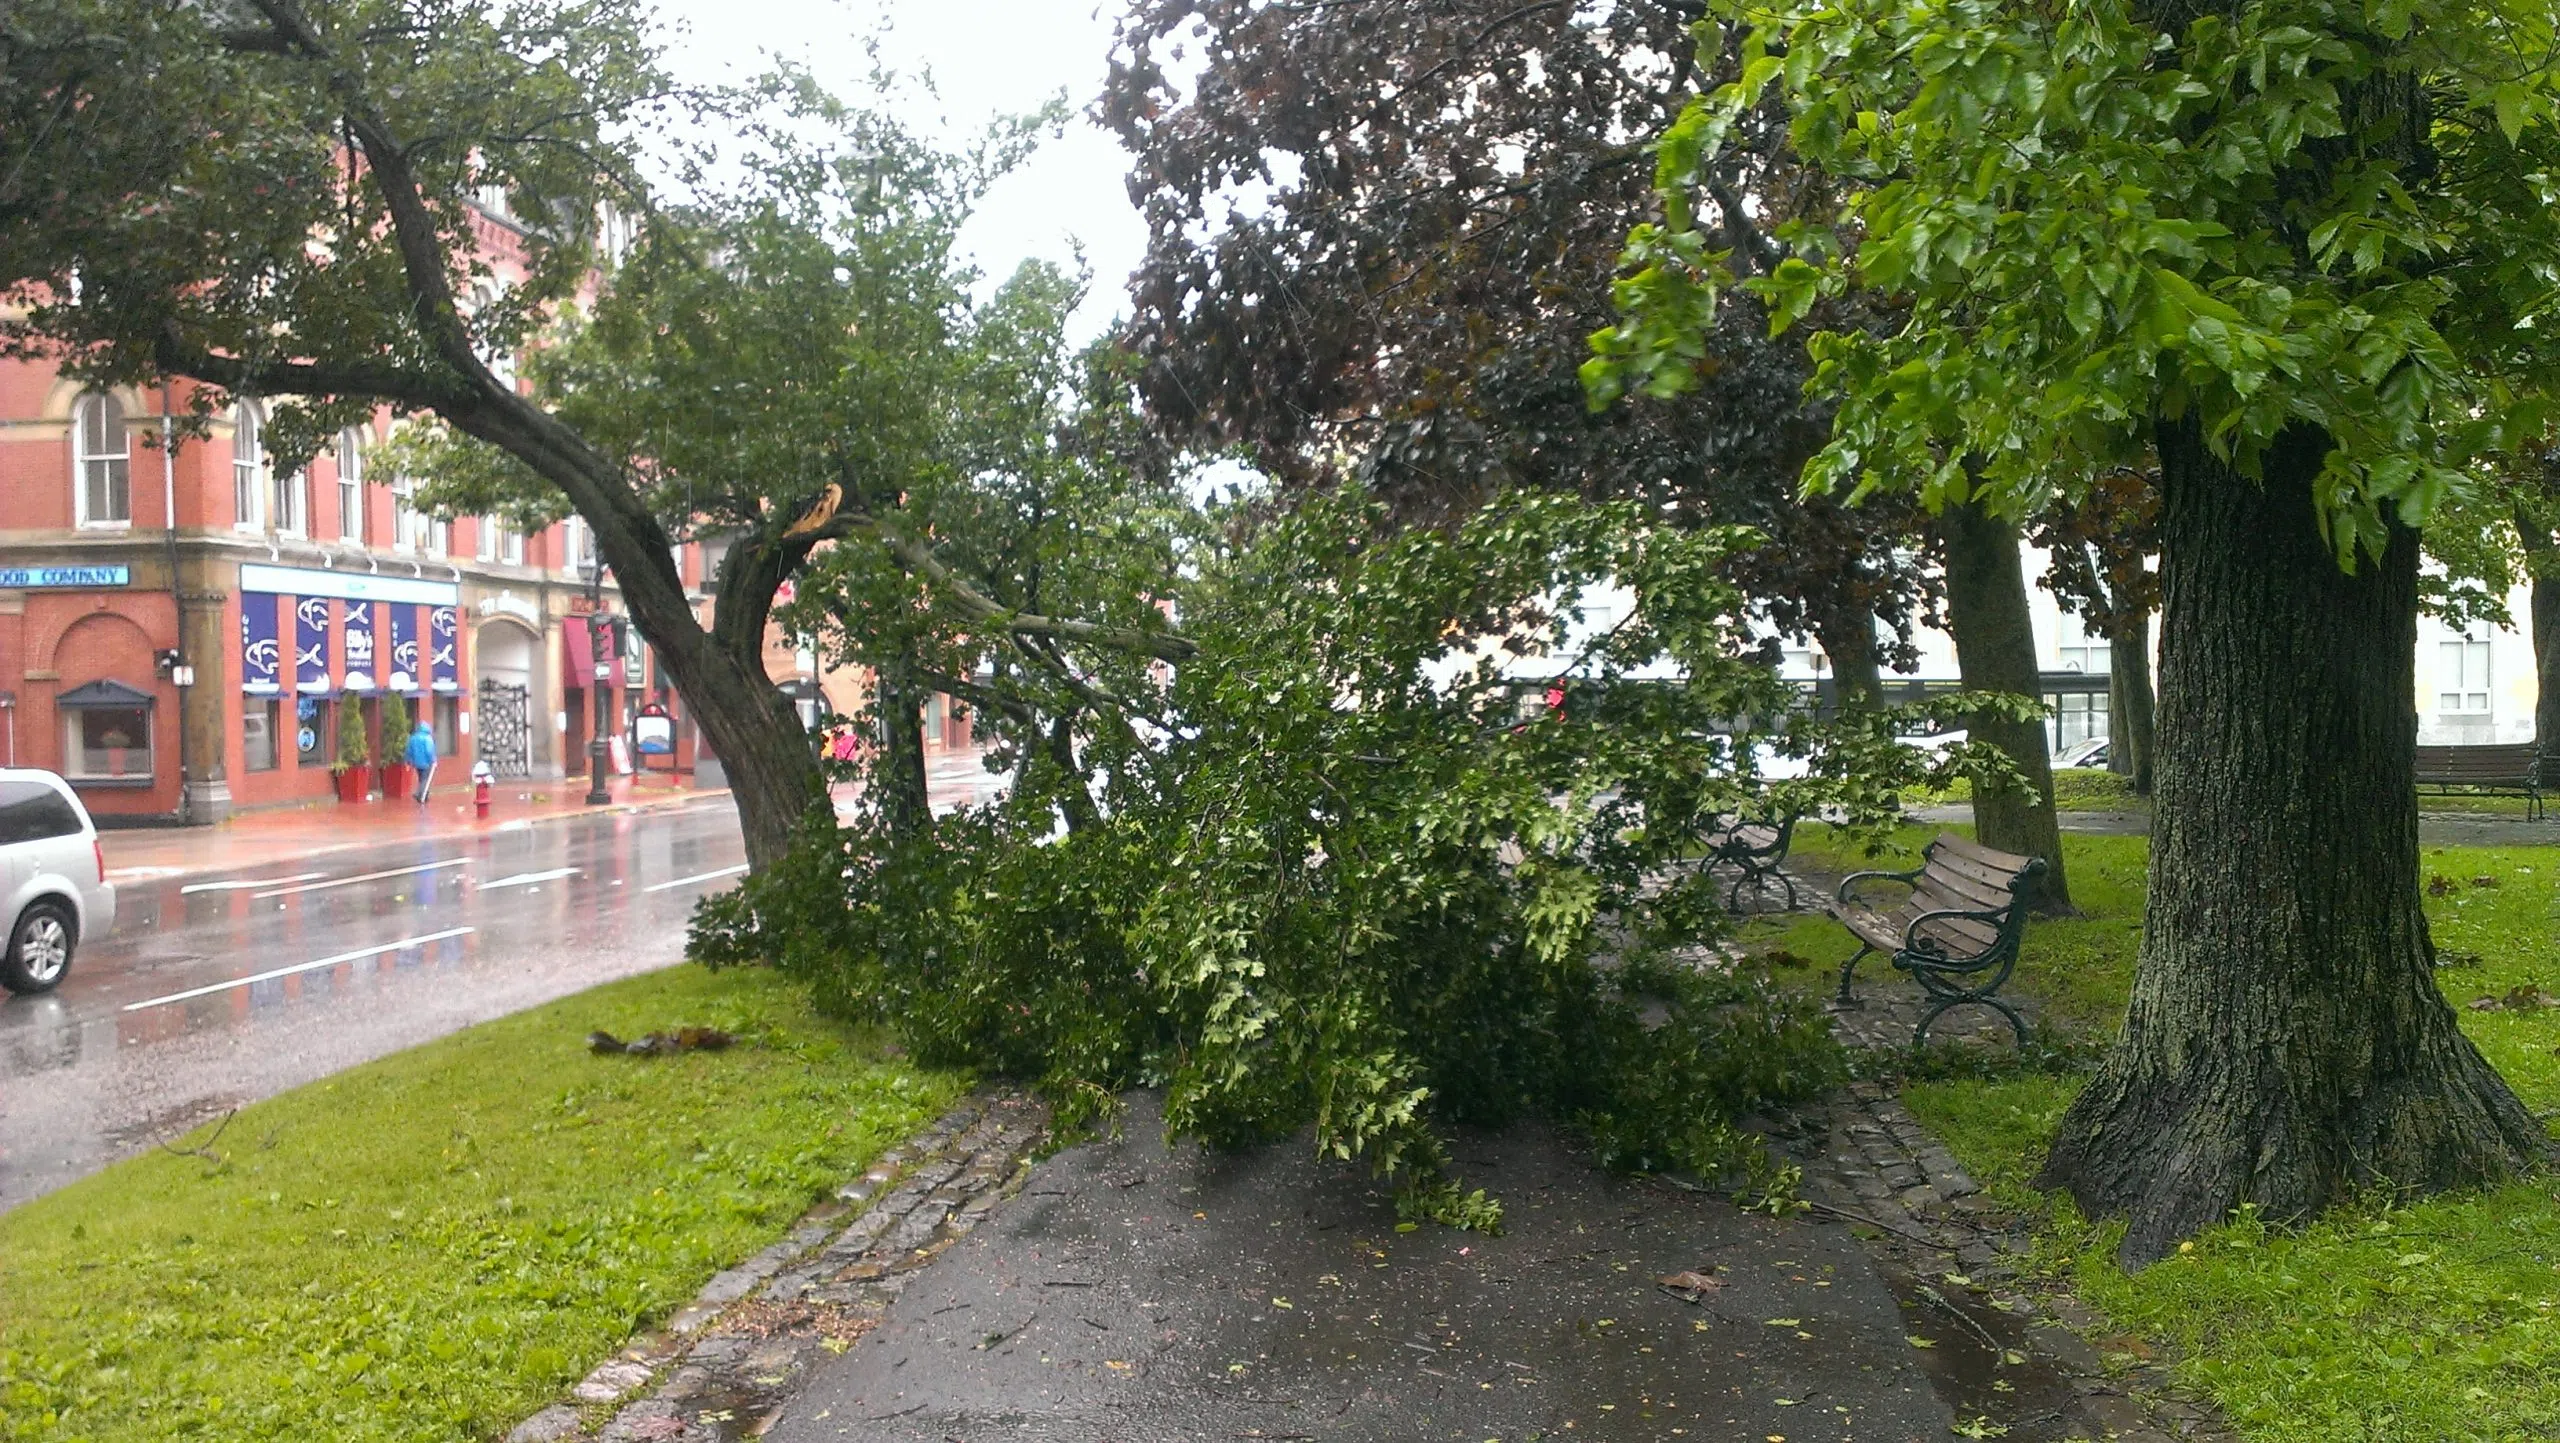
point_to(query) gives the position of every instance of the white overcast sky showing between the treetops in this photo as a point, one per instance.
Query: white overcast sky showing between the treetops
(987, 58)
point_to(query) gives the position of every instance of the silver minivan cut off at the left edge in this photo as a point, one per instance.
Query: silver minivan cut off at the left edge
(52, 879)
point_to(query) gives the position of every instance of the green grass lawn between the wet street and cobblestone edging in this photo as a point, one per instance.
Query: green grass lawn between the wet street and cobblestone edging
(442, 1242)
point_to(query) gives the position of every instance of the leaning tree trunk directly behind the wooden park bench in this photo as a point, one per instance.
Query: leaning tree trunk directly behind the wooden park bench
(1996, 651)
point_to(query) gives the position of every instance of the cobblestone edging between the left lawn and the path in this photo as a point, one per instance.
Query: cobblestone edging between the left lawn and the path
(726, 1362)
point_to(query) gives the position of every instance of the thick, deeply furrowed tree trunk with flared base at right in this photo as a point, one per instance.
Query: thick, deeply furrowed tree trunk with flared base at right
(2287, 1040)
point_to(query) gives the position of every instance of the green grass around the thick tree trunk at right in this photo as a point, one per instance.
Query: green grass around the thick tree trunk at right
(2382, 1324)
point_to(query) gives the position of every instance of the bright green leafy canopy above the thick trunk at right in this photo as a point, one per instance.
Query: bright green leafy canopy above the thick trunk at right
(2106, 214)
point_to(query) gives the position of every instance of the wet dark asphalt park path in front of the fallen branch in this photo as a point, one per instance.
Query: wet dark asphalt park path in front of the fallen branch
(1138, 1293)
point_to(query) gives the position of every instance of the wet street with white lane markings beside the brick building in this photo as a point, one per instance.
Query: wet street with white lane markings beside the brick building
(234, 986)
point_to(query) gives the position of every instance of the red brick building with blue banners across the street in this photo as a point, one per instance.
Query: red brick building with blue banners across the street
(183, 628)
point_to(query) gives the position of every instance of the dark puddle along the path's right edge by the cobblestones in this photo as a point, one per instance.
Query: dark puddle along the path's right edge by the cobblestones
(1970, 1362)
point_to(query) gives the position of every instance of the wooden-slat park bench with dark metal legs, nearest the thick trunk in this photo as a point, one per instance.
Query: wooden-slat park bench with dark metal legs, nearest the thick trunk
(1955, 930)
